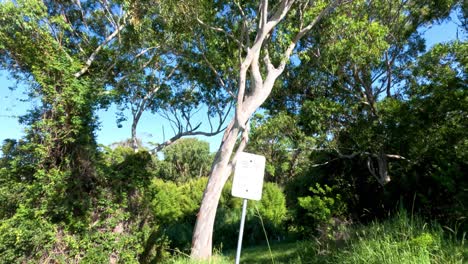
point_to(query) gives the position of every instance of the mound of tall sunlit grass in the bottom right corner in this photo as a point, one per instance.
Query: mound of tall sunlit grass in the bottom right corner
(403, 240)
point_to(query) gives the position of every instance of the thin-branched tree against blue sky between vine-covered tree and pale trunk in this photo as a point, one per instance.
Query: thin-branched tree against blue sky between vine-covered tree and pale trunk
(148, 77)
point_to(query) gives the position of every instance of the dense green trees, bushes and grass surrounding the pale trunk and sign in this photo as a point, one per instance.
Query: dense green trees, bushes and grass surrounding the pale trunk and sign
(365, 132)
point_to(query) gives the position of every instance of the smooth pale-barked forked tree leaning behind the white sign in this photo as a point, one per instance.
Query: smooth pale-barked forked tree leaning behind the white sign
(275, 43)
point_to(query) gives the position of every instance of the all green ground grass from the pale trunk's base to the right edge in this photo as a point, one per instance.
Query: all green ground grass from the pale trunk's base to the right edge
(400, 240)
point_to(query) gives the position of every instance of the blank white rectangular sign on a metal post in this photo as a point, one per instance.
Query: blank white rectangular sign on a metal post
(248, 176)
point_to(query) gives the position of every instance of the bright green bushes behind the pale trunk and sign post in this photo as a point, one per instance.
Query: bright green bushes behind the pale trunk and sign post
(175, 206)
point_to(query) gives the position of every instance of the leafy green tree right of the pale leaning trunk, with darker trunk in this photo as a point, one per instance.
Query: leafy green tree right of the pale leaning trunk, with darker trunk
(347, 71)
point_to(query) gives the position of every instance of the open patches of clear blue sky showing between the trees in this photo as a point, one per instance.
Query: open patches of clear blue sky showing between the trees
(150, 126)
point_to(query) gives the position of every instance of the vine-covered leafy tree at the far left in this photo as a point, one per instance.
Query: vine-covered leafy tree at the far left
(51, 47)
